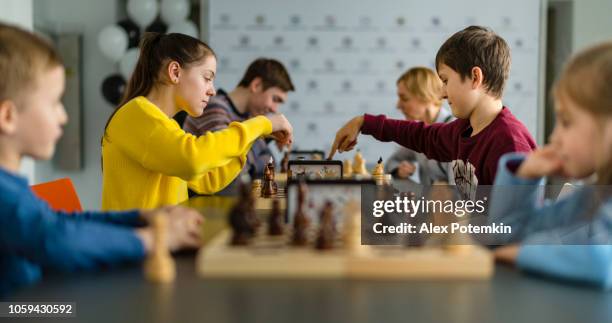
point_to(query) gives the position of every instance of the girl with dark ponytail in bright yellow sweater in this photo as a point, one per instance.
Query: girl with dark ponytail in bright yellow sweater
(148, 160)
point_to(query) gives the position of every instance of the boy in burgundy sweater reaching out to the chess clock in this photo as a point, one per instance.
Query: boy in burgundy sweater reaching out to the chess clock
(473, 64)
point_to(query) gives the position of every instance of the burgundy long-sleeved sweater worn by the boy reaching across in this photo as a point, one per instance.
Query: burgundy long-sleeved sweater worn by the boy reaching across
(473, 159)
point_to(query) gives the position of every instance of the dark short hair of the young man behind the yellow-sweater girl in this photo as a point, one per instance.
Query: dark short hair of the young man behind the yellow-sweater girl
(271, 72)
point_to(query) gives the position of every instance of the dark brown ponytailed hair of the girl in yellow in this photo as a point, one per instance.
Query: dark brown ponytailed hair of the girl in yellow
(156, 50)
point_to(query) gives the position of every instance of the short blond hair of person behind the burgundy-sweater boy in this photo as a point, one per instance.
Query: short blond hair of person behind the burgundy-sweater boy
(424, 84)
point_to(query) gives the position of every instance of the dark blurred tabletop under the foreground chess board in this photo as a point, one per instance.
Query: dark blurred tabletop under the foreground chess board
(123, 295)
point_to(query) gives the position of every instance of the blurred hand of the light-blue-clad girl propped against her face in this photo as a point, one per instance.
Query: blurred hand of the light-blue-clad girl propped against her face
(540, 163)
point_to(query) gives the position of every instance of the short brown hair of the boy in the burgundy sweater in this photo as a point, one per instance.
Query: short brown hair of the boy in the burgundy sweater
(477, 46)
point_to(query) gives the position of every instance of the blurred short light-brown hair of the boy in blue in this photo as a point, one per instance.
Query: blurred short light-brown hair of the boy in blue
(23, 55)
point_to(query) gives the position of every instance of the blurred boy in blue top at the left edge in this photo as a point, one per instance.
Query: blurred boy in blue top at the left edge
(34, 238)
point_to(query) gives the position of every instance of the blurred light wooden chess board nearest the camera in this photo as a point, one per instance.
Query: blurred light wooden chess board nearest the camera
(274, 257)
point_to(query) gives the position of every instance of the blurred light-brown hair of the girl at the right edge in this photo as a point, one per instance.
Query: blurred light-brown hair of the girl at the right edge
(586, 81)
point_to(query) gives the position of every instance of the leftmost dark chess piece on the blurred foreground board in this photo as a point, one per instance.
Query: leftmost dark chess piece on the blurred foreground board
(243, 219)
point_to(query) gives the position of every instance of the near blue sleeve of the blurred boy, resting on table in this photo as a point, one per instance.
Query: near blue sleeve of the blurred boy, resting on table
(64, 243)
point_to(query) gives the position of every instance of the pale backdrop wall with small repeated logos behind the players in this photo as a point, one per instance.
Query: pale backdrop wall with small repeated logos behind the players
(344, 56)
